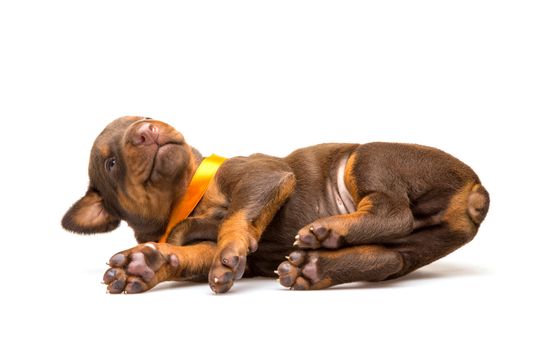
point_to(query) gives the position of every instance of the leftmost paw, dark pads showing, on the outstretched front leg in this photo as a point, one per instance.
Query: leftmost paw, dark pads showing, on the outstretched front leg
(138, 269)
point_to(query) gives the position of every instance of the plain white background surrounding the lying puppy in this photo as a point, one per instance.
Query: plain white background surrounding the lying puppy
(238, 77)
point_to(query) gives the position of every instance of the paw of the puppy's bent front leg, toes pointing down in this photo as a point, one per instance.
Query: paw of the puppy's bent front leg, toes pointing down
(228, 266)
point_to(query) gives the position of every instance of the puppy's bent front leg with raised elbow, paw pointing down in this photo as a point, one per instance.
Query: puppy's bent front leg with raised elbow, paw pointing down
(253, 206)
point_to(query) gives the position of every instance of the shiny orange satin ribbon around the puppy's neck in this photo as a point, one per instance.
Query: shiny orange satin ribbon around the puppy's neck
(195, 191)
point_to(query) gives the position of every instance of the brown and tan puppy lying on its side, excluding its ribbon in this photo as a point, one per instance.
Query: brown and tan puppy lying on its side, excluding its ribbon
(354, 212)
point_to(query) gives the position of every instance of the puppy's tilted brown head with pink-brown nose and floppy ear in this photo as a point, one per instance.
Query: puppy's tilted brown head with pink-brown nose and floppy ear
(138, 169)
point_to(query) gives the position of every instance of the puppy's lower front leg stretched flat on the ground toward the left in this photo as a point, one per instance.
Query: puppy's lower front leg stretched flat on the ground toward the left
(140, 268)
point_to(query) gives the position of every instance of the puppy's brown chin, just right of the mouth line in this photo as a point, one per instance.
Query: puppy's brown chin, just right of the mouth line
(168, 164)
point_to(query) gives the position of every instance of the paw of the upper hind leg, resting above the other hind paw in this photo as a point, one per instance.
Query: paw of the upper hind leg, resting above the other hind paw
(318, 234)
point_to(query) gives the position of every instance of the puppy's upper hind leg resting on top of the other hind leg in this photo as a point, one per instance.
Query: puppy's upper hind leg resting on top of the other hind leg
(379, 218)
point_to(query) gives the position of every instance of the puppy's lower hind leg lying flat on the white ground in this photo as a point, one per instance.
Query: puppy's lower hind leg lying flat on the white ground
(321, 269)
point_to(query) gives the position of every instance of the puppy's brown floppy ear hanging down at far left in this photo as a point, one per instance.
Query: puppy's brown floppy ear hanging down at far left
(88, 215)
